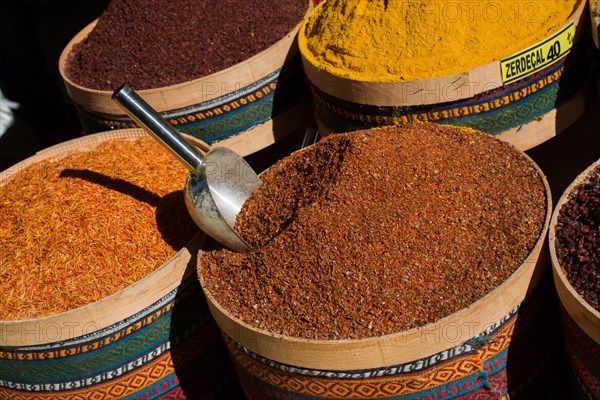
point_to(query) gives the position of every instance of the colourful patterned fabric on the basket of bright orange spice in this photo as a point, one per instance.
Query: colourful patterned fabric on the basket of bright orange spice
(172, 346)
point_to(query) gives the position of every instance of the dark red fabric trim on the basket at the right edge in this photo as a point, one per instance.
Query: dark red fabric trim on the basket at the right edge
(584, 354)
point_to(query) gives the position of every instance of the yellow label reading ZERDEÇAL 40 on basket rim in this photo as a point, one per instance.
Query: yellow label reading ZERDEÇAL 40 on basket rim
(538, 56)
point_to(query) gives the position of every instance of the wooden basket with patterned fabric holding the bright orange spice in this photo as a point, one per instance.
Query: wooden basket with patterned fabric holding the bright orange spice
(154, 338)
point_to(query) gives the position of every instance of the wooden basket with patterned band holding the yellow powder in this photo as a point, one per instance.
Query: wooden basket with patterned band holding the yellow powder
(525, 112)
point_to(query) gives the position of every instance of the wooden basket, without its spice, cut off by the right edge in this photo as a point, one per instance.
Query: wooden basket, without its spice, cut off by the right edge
(581, 322)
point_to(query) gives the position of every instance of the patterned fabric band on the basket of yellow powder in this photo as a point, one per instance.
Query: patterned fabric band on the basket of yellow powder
(494, 112)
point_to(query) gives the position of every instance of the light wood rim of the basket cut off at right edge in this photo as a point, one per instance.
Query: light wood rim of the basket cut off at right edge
(586, 317)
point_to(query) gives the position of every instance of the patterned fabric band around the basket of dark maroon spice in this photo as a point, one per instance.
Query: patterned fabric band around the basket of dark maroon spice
(237, 110)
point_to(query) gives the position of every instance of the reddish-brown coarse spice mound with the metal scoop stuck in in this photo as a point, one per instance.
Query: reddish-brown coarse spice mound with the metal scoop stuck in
(390, 229)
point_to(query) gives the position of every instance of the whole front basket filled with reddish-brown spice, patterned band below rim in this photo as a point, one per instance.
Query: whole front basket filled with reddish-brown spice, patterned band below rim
(398, 262)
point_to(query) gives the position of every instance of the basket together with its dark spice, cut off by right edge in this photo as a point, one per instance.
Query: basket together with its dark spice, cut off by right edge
(575, 254)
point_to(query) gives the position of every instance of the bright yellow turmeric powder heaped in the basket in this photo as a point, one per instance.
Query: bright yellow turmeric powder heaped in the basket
(407, 40)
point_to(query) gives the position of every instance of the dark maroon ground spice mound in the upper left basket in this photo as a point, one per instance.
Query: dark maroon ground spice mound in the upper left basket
(156, 43)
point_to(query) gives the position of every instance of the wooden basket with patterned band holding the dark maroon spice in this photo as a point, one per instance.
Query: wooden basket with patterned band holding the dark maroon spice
(246, 107)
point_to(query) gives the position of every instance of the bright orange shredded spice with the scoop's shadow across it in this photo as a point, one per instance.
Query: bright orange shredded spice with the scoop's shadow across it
(81, 228)
